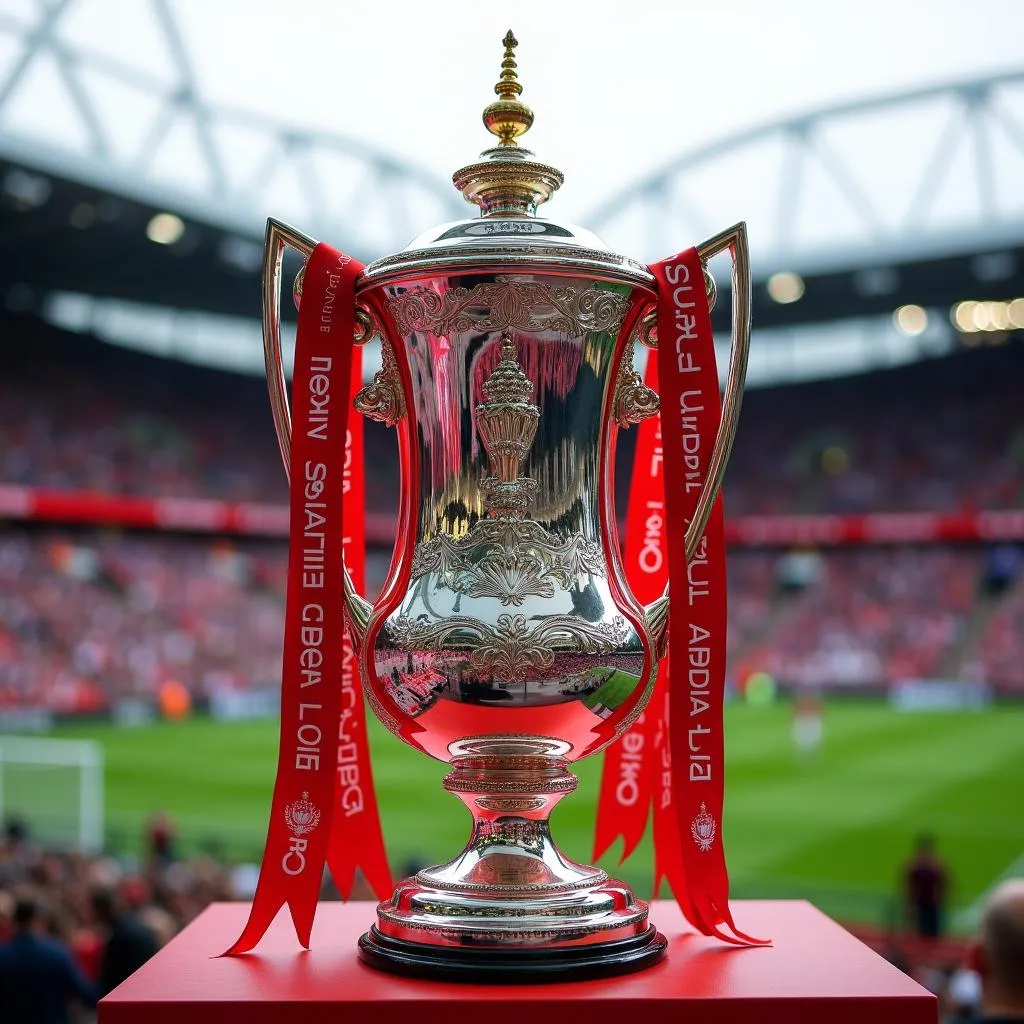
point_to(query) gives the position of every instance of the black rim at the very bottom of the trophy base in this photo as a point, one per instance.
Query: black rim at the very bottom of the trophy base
(490, 965)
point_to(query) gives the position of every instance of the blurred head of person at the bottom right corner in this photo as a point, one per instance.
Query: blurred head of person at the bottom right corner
(998, 955)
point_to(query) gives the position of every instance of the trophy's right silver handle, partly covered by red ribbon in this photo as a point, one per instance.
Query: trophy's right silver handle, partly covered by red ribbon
(734, 239)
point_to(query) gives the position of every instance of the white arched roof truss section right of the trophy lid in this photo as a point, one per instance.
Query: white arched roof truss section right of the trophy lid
(923, 174)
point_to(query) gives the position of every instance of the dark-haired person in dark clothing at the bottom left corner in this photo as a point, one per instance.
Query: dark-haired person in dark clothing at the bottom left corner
(38, 976)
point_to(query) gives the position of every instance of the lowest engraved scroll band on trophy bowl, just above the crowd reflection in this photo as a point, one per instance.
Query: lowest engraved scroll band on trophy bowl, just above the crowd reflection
(511, 650)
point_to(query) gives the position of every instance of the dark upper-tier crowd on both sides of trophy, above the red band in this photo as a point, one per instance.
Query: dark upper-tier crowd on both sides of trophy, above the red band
(77, 414)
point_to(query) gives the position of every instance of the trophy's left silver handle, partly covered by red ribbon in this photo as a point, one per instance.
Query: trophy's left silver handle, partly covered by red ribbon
(278, 237)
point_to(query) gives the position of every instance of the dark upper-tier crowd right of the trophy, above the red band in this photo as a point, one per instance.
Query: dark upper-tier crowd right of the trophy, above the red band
(944, 436)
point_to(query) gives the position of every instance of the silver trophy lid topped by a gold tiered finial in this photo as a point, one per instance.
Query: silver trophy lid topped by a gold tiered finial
(507, 185)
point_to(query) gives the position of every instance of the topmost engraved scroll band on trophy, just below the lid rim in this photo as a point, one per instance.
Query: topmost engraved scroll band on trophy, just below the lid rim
(508, 303)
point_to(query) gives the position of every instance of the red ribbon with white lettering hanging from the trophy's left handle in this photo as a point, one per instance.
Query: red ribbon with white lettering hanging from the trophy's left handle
(323, 724)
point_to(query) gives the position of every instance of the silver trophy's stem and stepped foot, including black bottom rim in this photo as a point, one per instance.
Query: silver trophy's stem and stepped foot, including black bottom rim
(511, 907)
